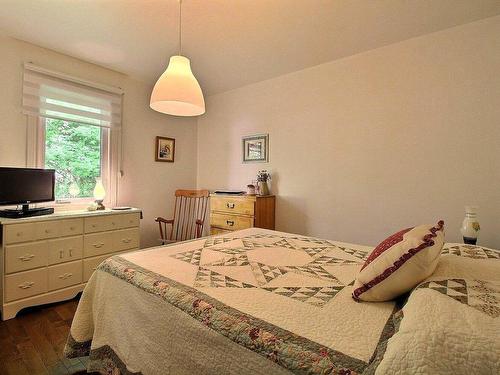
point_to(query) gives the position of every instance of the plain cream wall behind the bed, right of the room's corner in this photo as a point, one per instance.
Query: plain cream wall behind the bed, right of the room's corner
(364, 146)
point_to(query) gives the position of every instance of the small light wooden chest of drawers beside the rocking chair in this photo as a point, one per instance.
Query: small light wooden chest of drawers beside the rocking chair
(229, 213)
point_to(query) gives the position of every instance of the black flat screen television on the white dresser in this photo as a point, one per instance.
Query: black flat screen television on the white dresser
(22, 186)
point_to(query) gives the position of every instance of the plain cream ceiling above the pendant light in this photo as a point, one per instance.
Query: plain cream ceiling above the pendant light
(231, 43)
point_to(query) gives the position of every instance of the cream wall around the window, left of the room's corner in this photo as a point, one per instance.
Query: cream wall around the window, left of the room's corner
(146, 184)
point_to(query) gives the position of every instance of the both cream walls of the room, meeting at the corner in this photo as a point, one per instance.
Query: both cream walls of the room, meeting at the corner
(360, 147)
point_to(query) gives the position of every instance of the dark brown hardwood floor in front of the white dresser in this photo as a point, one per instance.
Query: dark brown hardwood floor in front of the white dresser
(33, 342)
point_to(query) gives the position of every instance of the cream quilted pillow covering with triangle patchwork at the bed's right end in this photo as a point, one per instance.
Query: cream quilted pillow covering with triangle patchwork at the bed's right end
(450, 324)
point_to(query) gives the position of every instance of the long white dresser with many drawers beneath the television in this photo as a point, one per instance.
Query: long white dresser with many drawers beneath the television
(49, 258)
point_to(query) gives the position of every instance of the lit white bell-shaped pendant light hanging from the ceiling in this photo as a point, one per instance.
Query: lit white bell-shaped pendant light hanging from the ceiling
(177, 92)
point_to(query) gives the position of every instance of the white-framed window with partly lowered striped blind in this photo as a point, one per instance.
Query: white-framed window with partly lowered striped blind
(73, 127)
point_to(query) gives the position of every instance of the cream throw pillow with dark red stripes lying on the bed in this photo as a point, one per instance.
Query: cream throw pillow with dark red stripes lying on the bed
(399, 263)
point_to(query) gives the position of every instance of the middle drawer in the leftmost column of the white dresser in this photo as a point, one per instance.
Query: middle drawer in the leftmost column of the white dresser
(25, 257)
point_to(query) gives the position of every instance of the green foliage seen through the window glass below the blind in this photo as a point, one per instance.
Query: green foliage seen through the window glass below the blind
(74, 151)
